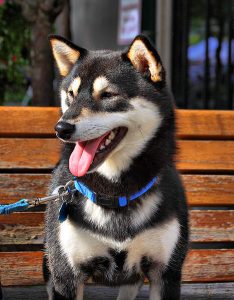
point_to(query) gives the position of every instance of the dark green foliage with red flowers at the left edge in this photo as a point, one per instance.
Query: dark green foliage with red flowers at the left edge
(14, 53)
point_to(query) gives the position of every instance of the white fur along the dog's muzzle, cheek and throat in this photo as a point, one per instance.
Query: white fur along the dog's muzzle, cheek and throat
(142, 121)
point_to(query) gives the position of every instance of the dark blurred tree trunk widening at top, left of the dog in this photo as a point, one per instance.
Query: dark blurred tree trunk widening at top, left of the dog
(41, 14)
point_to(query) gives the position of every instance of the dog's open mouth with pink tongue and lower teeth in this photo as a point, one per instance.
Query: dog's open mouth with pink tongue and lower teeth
(87, 155)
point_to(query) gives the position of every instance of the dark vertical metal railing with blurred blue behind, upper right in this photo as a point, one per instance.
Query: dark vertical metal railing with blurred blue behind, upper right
(203, 54)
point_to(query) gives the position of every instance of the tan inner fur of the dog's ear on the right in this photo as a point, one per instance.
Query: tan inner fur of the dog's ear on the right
(138, 52)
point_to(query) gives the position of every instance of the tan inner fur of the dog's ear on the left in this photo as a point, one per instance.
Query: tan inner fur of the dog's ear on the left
(64, 55)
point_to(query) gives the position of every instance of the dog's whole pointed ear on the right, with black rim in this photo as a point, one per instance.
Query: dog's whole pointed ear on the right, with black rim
(145, 59)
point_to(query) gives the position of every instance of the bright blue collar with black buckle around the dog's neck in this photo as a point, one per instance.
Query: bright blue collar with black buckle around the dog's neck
(111, 201)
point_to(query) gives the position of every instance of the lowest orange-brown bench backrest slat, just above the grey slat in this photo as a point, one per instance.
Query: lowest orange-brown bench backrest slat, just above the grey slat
(24, 268)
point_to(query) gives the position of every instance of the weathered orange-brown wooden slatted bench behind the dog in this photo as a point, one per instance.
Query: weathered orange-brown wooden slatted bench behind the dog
(29, 151)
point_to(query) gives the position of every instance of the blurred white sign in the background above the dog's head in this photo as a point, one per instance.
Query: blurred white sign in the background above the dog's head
(129, 20)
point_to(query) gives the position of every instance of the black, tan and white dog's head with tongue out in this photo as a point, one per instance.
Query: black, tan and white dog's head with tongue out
(113, 104)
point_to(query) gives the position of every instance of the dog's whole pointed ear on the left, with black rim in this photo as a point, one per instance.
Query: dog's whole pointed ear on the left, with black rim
(65, 53)
